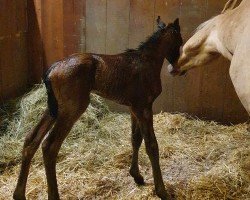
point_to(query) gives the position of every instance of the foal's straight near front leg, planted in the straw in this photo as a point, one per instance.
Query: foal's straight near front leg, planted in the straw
(145, 117)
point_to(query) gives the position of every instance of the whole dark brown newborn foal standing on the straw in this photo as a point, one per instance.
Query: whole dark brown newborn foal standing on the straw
(131, 78)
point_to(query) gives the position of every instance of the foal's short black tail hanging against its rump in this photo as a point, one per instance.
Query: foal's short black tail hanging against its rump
(52, 102)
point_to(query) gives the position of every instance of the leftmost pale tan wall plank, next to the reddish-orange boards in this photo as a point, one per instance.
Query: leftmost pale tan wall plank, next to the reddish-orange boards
(96, 26)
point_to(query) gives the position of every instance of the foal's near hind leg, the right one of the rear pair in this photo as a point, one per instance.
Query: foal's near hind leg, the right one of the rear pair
(52, 145)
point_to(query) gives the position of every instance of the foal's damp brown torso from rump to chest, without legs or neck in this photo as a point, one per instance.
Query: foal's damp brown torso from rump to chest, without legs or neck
(125, 78)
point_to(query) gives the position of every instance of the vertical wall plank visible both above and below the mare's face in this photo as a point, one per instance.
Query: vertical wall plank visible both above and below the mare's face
(186, 89)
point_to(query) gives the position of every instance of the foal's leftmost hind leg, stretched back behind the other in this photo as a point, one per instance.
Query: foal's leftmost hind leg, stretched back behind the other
(31, 144)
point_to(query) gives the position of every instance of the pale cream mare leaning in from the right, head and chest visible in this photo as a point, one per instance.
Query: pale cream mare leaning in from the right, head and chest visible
(227, 34)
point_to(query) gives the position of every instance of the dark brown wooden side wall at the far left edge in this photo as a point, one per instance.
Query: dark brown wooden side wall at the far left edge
(13, 48)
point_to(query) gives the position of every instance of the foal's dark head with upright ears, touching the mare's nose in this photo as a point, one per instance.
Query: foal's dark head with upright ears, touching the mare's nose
(170, 40)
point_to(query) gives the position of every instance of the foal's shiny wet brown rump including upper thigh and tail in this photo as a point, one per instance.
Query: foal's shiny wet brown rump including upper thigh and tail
(69, 82)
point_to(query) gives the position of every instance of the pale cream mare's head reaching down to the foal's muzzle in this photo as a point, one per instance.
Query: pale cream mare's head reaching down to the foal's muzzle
(204, 46)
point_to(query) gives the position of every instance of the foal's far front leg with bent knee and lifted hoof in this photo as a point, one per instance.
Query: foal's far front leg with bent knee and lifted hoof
(136, 139)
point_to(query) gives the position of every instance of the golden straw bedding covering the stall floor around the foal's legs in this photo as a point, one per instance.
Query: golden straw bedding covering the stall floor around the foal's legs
(199, 160)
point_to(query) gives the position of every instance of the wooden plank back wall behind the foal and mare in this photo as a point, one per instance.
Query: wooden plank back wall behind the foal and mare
(111, 26)
